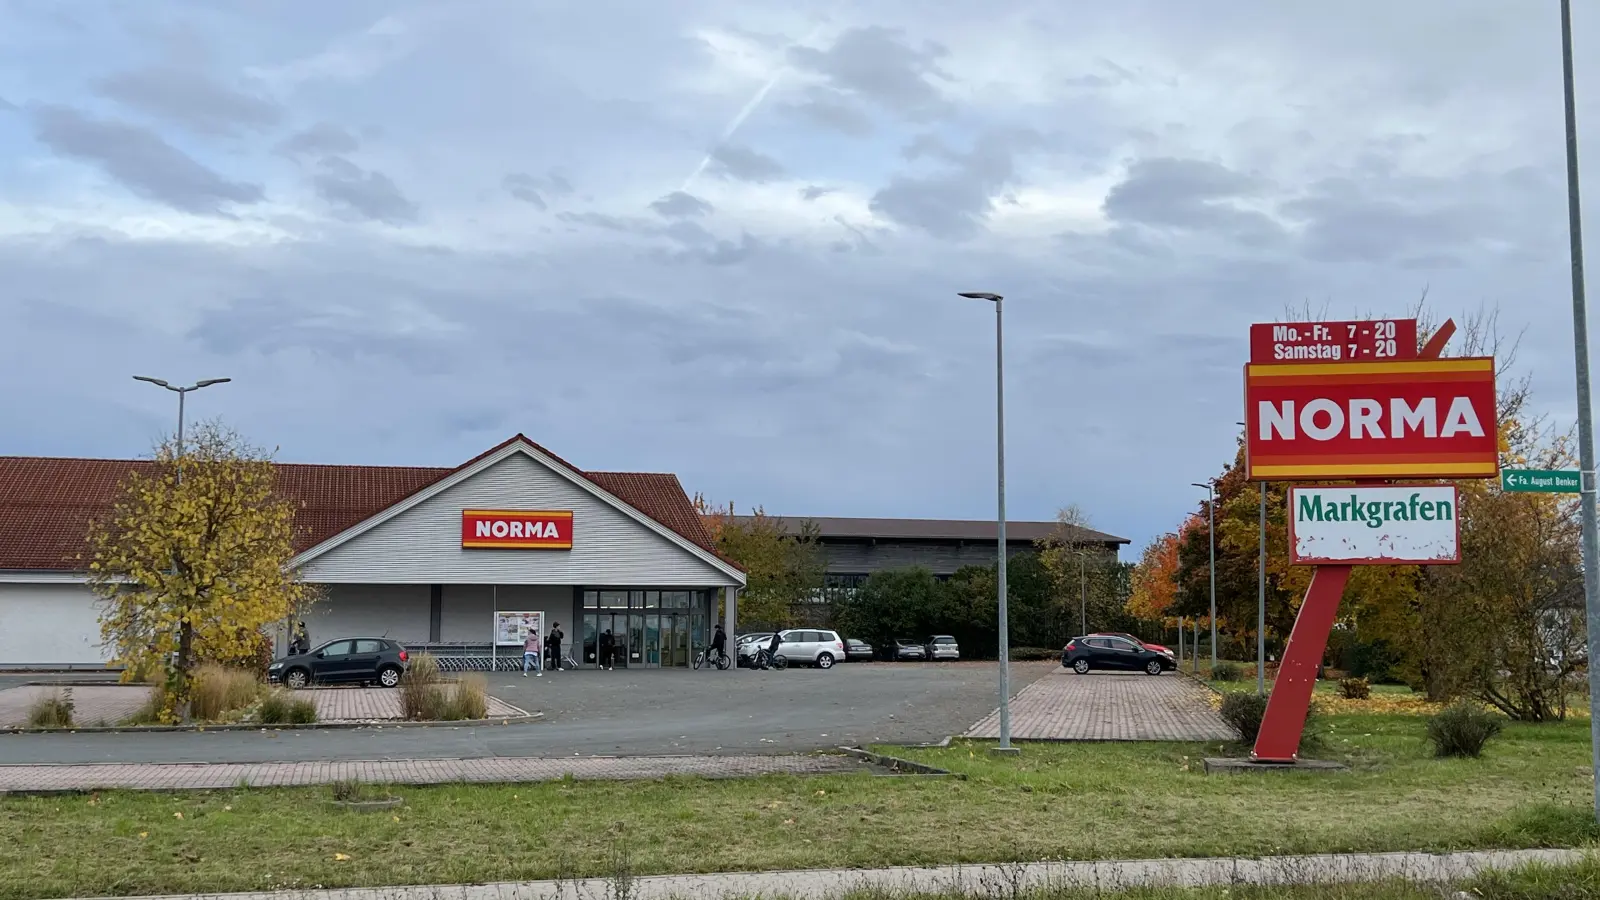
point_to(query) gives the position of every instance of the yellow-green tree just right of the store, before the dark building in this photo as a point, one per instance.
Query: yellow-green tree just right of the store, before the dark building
(785, 569)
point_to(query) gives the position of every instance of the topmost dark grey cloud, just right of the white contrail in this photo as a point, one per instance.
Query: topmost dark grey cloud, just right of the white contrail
(881, 66)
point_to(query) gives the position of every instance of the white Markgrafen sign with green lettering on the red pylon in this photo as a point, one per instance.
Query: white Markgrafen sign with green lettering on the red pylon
(1375, 526)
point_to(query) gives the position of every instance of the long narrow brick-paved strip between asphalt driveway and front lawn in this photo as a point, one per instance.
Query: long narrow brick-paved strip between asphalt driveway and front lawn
(201, 777)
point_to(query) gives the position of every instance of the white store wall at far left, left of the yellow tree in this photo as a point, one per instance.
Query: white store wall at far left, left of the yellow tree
(50, 627)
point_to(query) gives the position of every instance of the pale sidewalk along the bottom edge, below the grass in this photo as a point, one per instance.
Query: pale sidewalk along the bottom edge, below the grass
(983, 882)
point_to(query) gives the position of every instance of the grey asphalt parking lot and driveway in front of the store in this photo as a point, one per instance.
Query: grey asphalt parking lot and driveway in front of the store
(614, 713)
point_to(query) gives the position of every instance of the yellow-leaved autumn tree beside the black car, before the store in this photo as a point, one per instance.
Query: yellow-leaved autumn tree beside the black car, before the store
(191, 563)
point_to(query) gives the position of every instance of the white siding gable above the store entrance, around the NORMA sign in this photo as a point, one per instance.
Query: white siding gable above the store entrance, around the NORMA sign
(423, 544)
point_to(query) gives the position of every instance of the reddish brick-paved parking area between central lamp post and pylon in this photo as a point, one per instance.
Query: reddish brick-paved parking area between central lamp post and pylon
(1111, 707)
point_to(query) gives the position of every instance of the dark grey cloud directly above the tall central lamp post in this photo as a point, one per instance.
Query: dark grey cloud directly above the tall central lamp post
(956, 203)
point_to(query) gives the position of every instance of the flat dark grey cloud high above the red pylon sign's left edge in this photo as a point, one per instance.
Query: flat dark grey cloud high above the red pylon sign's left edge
(1186, 195)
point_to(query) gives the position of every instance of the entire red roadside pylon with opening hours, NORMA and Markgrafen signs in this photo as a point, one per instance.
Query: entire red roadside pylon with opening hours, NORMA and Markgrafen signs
(1366, 412)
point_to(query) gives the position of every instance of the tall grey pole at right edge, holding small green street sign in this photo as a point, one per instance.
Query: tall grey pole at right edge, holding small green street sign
(1586, 433)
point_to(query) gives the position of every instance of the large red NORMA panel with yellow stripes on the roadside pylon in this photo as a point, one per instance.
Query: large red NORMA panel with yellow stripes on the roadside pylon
(1422, 419)
